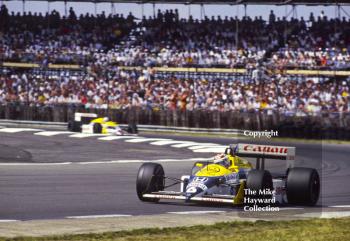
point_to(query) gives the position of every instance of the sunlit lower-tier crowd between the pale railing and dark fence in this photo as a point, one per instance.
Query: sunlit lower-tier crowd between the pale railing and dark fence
(143, 89)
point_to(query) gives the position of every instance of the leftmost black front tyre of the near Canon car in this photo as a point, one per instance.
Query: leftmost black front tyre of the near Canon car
(150, 178)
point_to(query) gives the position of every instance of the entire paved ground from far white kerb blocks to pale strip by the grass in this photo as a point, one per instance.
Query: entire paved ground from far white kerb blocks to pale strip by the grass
(58, 175)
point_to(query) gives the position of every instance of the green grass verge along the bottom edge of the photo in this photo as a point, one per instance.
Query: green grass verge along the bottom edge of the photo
(306, 230)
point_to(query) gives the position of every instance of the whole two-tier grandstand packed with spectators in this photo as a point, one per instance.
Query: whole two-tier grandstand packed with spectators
(291, 68)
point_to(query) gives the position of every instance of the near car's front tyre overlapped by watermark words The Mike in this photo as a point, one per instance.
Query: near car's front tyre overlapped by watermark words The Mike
(260, 182)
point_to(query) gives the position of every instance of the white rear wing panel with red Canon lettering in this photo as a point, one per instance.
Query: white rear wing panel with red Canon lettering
(265, 151)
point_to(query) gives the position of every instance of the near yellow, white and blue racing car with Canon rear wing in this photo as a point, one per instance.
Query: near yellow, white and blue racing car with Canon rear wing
(227, 177)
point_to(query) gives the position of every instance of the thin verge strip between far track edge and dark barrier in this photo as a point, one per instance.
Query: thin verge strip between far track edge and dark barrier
(233, 136)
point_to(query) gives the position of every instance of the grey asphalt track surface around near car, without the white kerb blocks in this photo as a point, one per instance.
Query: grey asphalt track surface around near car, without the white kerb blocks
(41, 188)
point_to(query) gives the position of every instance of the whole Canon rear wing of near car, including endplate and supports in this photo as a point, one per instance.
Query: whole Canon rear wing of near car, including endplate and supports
(262, 152)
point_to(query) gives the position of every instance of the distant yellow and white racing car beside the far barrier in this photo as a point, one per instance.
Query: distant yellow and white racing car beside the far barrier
(90, 123)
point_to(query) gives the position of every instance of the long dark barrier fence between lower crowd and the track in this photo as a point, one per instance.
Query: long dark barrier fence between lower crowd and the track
(326, 125)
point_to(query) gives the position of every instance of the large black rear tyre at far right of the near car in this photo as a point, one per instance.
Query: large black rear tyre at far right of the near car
(303, 186)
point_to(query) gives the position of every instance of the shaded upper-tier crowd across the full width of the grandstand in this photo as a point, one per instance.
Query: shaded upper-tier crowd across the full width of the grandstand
(168, 40)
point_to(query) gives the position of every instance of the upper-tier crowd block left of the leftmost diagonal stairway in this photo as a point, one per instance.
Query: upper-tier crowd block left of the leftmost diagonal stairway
(35, 38)
